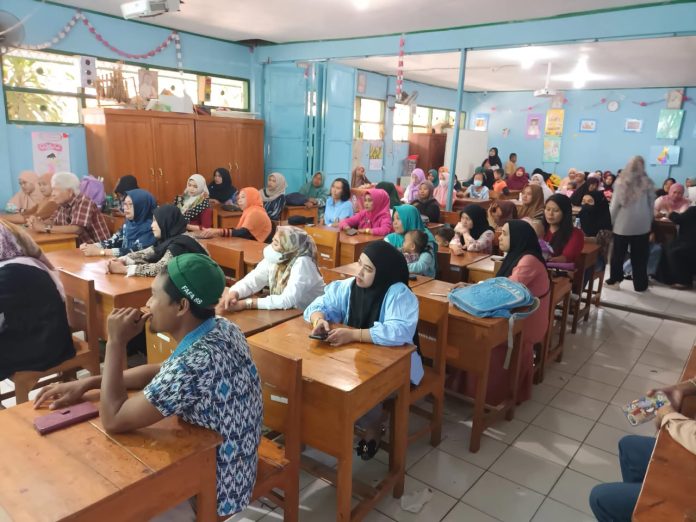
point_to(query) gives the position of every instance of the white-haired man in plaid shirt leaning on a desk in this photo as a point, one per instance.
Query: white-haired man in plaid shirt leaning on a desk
(76, 214)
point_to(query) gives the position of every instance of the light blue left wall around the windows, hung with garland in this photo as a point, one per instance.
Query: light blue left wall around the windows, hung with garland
(199, 54)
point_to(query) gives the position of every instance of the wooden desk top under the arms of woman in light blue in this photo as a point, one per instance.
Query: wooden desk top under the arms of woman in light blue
(344, 368)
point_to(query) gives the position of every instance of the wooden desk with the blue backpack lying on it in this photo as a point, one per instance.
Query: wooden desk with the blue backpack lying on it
(470, 341)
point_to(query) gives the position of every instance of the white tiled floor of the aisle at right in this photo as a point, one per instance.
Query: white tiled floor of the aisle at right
(542, 465)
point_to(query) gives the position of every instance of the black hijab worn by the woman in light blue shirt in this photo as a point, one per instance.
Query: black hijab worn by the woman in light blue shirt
(390, 268)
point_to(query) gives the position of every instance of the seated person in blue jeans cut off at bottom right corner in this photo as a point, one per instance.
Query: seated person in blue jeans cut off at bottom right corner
(616, 501)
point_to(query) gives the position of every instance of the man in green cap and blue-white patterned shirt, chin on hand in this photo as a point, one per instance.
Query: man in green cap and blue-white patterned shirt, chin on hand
(210, 380)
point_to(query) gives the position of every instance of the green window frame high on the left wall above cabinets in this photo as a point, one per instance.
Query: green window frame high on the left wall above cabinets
(83, 96)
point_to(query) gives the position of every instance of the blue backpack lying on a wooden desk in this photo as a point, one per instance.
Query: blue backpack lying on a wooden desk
(496, 297)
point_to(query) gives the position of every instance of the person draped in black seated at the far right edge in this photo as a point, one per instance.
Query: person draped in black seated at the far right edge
(678, 263)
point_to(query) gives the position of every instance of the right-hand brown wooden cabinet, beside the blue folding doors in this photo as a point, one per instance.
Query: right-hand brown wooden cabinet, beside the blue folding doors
(235, 144)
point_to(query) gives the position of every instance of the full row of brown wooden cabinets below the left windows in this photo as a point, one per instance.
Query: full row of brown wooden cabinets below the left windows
(163, 149)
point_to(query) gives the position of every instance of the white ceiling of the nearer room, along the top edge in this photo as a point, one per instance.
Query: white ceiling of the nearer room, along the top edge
(285, 21)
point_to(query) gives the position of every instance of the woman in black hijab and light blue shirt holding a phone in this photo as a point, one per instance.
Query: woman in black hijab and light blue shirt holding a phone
(380, 308)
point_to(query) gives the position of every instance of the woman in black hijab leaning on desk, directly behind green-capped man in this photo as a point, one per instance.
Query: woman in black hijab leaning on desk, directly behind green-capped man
(169, 228)
